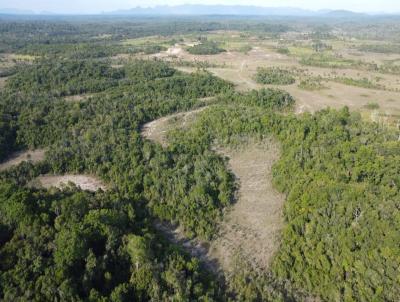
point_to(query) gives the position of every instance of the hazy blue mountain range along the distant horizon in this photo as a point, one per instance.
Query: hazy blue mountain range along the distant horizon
(199, 10)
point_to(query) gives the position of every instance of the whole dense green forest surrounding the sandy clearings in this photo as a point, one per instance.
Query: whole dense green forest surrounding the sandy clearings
(340, 176)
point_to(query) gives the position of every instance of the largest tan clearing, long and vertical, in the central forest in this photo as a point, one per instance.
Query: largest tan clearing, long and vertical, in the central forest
(251, 230)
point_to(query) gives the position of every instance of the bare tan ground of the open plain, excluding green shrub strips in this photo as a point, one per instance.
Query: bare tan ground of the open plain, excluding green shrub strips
(240, 68)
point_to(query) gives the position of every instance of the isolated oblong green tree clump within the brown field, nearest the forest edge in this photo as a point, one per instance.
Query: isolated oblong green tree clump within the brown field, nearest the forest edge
(274, 75)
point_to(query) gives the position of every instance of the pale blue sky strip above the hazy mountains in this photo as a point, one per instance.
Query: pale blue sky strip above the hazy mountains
(97, 6)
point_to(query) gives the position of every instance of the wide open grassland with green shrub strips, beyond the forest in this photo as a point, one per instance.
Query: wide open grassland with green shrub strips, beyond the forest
(336, 74)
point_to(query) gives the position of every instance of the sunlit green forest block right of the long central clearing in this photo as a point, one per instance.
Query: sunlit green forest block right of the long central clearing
(342, 229)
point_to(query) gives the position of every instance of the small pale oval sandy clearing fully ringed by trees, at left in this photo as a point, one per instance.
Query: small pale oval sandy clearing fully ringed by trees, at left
(85, 182)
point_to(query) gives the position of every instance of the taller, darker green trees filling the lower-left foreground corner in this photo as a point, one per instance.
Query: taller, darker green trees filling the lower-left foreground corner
(80, 246)
